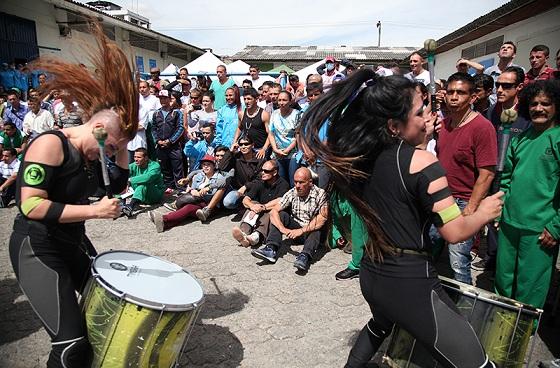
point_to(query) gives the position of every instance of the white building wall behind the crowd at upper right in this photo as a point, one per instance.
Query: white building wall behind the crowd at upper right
(541, 29)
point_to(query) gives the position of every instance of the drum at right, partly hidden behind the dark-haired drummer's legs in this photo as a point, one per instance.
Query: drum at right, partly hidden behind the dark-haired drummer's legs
(502, 325)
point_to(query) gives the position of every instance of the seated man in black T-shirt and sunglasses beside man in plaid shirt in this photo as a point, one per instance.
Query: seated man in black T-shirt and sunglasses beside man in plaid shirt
(259, 200)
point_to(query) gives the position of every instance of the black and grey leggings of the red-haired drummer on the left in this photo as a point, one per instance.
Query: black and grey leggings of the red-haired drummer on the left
(51, 264)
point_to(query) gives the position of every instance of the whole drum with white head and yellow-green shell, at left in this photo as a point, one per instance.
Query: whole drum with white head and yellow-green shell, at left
(139, 310)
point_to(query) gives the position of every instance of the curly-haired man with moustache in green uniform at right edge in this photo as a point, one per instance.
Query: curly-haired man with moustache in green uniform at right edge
(530, 223)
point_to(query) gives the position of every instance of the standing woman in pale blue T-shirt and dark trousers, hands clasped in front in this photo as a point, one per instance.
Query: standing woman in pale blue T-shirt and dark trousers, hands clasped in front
(282, 136)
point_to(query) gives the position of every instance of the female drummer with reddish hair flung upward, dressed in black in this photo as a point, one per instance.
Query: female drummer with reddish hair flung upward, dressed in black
(49, 250)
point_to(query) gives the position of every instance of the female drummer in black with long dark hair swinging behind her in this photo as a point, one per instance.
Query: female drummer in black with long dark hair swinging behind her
(375, 124)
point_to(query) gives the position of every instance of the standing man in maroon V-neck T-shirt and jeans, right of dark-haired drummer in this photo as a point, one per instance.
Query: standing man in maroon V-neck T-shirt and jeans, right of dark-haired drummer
(467, 150)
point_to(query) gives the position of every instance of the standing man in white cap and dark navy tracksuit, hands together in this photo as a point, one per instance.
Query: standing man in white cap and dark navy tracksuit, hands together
(167, 130)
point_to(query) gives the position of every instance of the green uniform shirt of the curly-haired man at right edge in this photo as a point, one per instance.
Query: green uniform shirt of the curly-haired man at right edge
(530, 181)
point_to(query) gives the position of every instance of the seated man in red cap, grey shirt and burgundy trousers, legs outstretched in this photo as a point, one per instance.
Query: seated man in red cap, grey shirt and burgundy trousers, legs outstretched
(206, 191)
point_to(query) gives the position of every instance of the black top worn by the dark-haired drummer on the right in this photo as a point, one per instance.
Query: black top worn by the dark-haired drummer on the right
(400, 199)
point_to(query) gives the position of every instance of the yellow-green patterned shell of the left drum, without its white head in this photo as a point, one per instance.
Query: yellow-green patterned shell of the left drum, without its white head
(124, 334)
